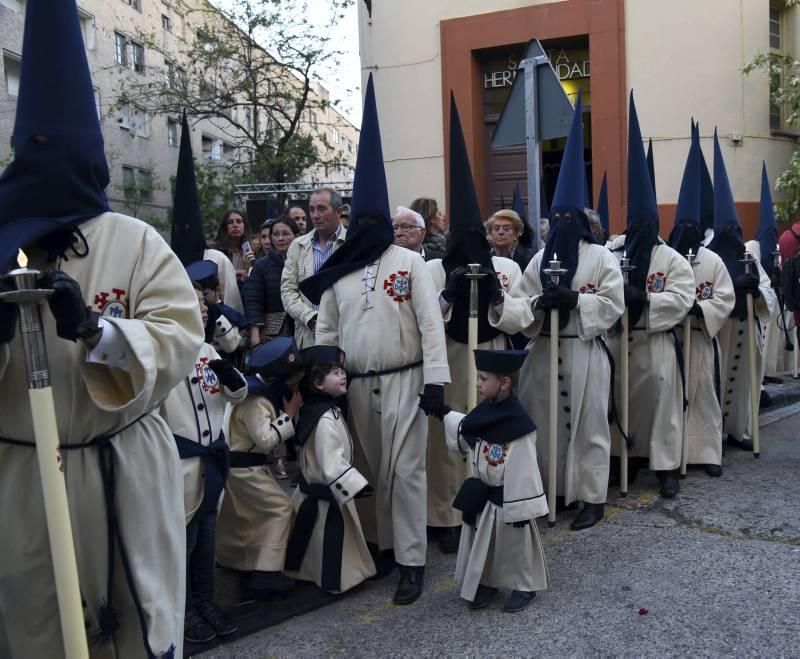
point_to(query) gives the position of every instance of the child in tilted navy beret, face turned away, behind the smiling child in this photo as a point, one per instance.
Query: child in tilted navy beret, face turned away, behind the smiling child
(255, 517)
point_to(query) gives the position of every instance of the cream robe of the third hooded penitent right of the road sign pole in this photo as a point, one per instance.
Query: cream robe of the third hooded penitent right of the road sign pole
(714, 293)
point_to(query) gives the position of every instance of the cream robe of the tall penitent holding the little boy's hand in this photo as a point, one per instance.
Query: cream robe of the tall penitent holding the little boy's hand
(387, 316)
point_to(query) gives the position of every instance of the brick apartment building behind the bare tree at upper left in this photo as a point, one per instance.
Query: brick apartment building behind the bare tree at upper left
(141, 147)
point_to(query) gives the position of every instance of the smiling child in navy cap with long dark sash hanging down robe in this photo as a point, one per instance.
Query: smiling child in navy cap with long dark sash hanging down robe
(327, 544)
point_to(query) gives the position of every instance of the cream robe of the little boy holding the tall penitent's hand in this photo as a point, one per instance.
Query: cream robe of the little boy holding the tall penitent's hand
(494, 553)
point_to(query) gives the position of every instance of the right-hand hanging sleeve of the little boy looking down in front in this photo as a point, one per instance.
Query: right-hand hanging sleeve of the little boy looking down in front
(523, 492)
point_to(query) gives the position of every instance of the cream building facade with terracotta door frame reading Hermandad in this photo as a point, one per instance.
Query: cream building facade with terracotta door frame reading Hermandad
(683, 59)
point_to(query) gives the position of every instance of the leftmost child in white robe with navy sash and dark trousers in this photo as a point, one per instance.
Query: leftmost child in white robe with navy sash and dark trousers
(211, 385)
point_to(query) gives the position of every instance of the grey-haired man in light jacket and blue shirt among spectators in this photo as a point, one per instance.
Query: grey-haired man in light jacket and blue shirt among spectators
(306, 256)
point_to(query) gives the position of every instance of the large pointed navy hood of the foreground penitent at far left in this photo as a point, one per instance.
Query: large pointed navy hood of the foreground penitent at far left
(59, 172)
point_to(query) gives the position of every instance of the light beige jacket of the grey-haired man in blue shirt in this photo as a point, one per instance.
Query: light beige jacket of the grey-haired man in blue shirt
(299, 265)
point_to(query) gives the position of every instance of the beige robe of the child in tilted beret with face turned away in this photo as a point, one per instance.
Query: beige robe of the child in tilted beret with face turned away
(255, 517)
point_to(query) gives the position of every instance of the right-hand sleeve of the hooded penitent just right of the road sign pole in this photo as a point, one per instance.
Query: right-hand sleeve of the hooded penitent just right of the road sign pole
(598, 311)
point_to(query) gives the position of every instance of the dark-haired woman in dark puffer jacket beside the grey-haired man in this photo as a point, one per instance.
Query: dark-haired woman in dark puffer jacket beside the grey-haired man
(262, 293)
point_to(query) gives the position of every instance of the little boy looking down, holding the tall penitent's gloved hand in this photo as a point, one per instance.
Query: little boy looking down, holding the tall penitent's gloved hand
(500, 545)
